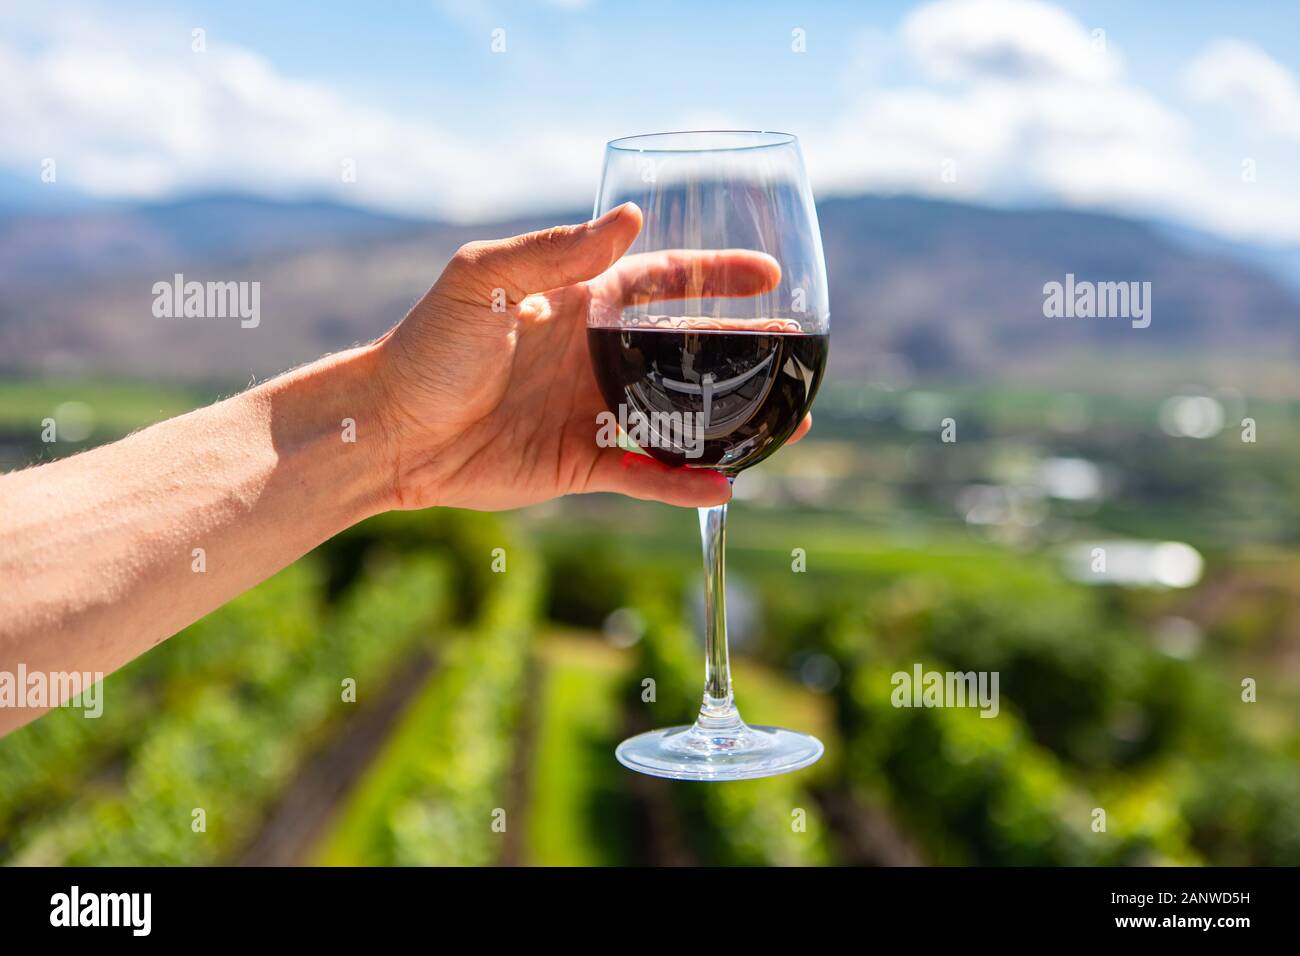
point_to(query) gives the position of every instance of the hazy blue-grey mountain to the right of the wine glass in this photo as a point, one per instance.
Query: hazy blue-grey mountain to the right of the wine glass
(957, 288)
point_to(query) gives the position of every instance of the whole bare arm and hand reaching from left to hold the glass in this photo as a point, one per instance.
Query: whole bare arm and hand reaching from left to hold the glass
(470, 406)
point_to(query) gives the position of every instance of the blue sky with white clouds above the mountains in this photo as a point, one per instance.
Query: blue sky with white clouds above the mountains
(1189, 113)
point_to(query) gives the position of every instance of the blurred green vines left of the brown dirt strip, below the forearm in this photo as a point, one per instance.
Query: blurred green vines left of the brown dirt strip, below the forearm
(236, 702)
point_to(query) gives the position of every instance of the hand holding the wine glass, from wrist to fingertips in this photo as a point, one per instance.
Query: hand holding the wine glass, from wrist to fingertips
(497, 409)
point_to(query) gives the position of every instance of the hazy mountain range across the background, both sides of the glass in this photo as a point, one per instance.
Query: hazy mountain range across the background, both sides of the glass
(935, 288)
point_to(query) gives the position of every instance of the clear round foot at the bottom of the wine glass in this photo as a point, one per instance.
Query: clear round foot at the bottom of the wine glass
(738, 752)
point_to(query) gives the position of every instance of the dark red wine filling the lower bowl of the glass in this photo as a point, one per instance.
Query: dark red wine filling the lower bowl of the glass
(716, 399)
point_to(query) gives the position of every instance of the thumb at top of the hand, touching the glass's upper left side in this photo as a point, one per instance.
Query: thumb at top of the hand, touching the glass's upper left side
(548, 259)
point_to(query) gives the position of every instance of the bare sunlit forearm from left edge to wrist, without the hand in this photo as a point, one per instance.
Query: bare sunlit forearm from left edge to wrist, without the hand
(99, 553)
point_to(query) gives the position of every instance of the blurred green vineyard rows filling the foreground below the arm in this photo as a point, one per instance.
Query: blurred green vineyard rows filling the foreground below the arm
(402, 698)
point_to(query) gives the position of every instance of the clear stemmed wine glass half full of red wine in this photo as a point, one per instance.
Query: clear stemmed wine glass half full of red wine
(713, 365)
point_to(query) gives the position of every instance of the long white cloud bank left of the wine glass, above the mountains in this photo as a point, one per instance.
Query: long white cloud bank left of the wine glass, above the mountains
(144, 116)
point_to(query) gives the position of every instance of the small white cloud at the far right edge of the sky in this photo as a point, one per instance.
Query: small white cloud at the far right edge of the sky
(1243, 79)
